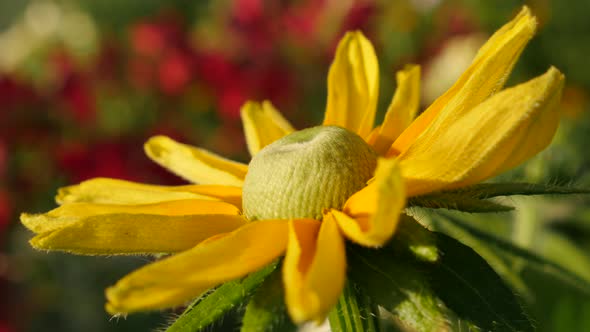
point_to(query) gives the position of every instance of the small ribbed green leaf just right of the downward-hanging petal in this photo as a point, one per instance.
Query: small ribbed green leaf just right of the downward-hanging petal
(353, 312)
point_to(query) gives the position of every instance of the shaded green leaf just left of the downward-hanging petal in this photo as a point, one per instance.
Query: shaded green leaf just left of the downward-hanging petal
(266, 310)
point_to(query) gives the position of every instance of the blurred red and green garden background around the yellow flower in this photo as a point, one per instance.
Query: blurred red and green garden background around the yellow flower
(84, 83)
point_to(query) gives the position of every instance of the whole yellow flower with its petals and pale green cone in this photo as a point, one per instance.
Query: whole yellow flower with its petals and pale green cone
(471, 133)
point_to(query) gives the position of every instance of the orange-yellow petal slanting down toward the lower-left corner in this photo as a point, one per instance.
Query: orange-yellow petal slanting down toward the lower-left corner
(175, 280)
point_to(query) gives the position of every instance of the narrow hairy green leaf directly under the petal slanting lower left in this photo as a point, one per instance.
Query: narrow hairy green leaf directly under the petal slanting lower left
(209, 308)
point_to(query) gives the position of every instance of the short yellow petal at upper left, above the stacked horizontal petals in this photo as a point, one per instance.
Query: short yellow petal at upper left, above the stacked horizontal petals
(194, 164)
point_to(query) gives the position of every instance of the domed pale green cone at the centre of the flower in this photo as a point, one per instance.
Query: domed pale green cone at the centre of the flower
(306, 172)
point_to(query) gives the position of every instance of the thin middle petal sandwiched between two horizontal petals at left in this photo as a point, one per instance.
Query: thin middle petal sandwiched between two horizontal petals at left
(71, 213)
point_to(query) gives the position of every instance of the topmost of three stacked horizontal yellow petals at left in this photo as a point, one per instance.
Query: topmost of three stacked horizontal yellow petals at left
(115, 191)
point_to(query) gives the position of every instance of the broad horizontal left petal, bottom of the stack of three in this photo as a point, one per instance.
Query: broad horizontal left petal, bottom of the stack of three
(111, 234)
